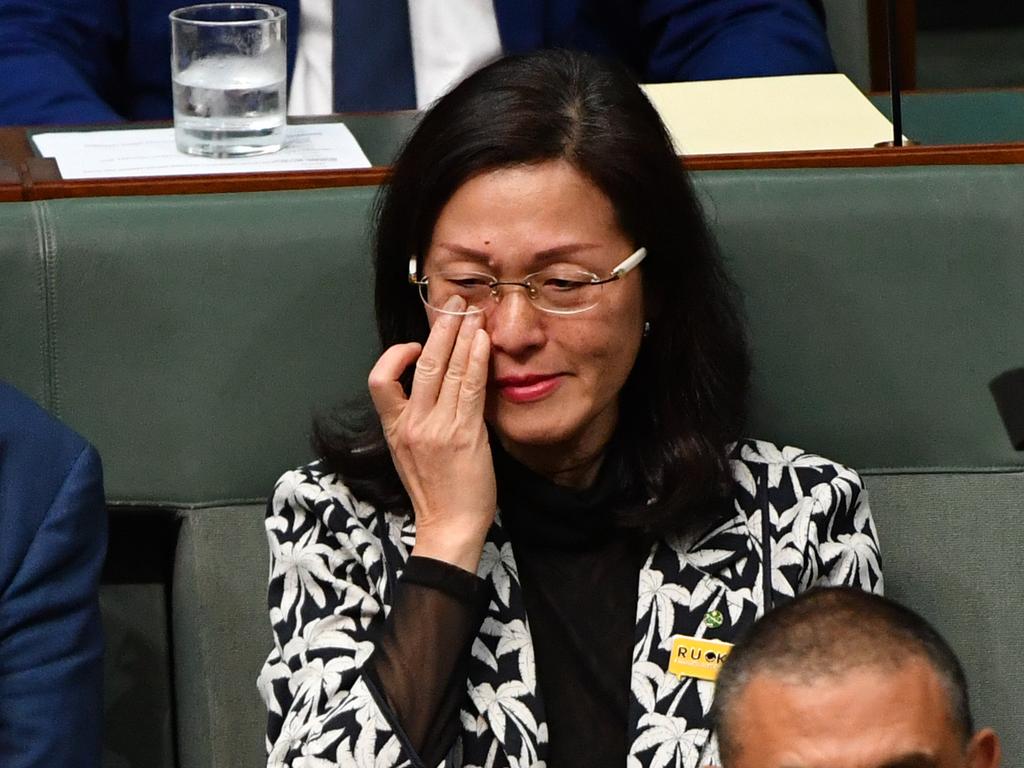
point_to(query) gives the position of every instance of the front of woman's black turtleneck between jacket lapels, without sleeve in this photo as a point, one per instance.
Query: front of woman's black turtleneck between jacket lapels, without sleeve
(579, 573)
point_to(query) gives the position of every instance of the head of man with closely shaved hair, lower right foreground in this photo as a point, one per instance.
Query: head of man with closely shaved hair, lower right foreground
(843, 675)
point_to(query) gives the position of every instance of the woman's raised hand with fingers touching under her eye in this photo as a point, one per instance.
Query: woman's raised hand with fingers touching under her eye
(438, 437)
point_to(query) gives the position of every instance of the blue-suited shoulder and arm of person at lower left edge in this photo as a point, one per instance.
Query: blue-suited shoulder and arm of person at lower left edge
(53, 543)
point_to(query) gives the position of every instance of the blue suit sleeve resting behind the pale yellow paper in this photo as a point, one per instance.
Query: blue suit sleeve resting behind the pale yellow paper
(720, 39)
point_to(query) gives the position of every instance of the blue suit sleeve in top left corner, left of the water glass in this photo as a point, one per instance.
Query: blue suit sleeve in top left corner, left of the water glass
(58, 61)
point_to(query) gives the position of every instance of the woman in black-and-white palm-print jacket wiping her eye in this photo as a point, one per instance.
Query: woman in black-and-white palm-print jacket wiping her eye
(551, 501)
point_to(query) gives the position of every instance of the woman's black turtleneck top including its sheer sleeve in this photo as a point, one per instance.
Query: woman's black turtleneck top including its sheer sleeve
(579, 574)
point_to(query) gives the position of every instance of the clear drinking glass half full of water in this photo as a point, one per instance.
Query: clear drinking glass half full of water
(229, 71)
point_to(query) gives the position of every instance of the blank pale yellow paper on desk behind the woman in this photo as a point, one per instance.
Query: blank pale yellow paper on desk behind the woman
(780, 114)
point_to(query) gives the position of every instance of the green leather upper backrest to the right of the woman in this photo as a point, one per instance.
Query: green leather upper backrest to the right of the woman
(881, 304)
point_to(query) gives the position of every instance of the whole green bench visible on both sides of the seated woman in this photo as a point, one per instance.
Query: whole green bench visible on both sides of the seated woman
(191, 338)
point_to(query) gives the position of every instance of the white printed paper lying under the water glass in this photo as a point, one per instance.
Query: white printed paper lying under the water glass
(151, 152)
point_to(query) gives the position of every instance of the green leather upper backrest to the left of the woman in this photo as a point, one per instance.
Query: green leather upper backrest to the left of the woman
(191, 337)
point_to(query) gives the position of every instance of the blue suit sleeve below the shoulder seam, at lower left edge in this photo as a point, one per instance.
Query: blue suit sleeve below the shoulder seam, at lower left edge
(51, 638)
